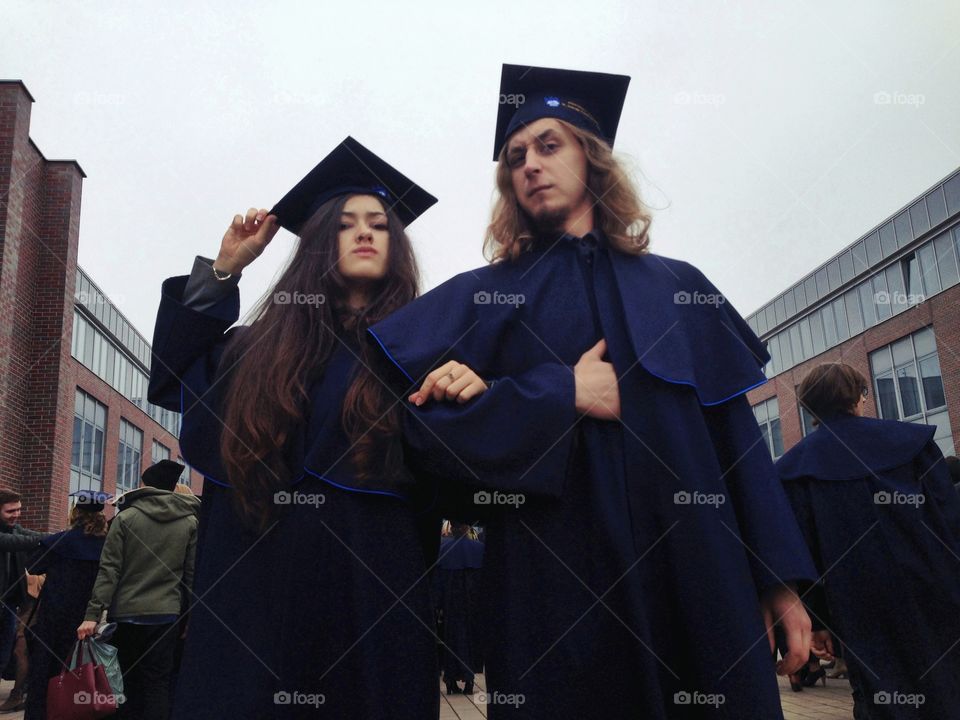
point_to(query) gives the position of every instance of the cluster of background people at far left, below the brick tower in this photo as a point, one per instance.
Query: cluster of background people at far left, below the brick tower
(134, 570)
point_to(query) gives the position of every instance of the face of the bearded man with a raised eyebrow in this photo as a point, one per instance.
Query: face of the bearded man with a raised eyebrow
(549, 171)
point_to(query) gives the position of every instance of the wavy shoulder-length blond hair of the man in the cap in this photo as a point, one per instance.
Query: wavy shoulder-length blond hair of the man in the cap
(619, 211)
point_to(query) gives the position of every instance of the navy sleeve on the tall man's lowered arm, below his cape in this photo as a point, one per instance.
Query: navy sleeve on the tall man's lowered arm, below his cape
(768, 527)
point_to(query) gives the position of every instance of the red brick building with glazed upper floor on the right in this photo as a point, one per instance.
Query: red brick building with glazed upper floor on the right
(889, 304)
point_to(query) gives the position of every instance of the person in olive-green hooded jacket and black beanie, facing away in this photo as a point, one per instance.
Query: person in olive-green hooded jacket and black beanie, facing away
(143, 578)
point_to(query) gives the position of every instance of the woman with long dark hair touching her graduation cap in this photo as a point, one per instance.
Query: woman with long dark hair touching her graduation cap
(299, 608)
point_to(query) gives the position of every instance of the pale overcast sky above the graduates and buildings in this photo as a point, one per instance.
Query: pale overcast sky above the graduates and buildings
(752, 127)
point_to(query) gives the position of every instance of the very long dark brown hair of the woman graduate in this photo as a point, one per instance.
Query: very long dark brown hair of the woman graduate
(273, 362)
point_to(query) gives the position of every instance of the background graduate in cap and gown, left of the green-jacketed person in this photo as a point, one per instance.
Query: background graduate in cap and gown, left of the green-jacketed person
(70, 560)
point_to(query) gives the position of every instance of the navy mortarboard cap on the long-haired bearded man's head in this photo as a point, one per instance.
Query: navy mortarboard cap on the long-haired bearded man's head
(588, 100)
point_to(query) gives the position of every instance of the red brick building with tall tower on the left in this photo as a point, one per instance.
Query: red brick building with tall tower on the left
(73, 371)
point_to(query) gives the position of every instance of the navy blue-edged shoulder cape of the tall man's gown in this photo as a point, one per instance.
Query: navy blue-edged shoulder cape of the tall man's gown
(682, 329)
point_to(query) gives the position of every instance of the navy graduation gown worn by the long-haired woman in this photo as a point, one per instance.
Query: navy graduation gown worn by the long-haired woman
(327, 614)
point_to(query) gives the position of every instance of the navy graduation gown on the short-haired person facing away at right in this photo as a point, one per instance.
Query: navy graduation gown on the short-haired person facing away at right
(881, 517)
